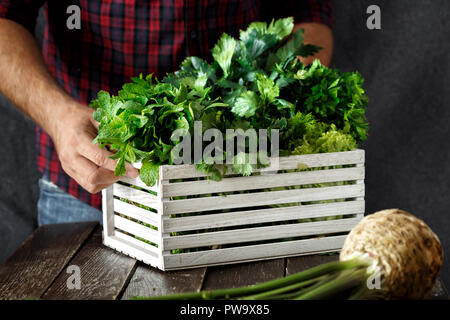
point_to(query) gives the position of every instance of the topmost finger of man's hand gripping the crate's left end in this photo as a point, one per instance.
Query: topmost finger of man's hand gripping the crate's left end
(101, 157)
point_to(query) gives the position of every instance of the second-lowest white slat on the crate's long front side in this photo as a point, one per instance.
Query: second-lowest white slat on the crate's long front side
(259, 233)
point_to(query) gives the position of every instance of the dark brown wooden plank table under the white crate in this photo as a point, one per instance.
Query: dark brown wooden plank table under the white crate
(40, 269)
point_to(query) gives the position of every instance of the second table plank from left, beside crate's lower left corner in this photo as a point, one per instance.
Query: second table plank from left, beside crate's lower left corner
(104, 273)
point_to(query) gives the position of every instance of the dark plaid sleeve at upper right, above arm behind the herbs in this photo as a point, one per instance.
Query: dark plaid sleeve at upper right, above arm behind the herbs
(302, 10)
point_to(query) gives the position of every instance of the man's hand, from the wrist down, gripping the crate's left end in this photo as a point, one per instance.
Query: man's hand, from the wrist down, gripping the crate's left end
(85, 162)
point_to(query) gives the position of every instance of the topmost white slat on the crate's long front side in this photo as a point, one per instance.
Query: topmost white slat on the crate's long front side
(285, 163)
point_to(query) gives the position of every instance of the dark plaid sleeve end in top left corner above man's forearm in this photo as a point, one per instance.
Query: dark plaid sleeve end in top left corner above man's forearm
(24, 12)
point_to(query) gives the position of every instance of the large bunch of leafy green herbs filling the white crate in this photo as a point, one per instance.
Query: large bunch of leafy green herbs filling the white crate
(255, 81)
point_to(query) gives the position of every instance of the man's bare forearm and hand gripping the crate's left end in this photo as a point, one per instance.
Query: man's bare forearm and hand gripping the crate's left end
(25, 81)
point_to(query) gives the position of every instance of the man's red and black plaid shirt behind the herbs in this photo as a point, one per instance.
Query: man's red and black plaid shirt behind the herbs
(120, 39)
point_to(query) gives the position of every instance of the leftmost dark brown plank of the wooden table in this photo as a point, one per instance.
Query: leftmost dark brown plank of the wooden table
(39, 260)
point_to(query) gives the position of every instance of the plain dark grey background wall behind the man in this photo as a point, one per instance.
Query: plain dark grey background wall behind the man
(406, 66)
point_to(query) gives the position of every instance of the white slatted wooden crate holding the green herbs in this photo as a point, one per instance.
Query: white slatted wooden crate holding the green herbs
(197, 222)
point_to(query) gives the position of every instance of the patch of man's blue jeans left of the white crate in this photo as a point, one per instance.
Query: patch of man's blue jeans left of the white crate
(57, 206)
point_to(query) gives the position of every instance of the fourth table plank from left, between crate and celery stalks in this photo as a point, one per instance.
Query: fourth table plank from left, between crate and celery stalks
(243, 274)
